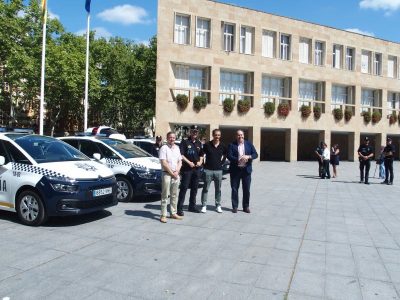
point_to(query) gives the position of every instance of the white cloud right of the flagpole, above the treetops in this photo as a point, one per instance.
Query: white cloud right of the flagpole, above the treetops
(125, 14)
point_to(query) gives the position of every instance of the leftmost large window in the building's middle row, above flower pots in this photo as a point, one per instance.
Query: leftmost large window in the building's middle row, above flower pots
(188, 77)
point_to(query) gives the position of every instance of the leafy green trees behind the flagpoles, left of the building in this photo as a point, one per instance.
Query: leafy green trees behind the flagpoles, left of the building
(121, 74)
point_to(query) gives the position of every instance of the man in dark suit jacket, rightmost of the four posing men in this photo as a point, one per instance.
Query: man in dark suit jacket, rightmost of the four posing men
(241, 154)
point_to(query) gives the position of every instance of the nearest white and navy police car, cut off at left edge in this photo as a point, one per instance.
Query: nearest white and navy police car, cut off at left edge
(41, 176)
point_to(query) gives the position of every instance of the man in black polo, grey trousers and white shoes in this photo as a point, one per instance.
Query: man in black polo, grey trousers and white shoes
(215, 155)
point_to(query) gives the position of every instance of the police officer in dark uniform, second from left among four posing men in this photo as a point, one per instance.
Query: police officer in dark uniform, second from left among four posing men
(192, 160)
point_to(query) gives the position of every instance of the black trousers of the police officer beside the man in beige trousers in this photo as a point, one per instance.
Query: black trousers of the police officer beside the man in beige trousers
(188, 178)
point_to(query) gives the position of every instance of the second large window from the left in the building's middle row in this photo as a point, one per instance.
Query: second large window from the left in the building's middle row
(234, 84)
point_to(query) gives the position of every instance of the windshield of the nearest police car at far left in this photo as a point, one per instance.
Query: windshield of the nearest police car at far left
(46, 149)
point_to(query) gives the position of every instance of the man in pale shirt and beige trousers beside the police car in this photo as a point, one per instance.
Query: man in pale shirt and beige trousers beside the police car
(171, 162)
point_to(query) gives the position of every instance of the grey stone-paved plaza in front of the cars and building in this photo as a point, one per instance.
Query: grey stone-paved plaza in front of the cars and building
(306, 238)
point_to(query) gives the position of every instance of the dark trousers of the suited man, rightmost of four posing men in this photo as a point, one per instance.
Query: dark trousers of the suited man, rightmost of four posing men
(237, 175)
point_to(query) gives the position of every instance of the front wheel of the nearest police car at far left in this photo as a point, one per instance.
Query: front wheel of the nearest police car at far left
(30, 208)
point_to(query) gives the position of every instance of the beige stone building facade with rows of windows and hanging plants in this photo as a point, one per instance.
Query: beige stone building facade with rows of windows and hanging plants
(226, 53)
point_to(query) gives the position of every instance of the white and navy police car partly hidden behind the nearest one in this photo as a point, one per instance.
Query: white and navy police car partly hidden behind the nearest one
(137, 172)
